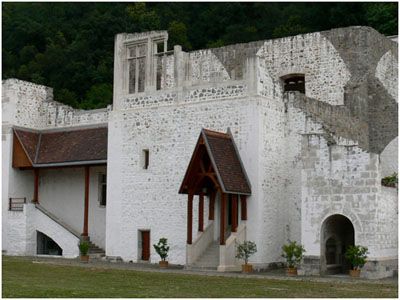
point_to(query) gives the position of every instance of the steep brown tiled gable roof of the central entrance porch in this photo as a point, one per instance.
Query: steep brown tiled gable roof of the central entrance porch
(225, 161)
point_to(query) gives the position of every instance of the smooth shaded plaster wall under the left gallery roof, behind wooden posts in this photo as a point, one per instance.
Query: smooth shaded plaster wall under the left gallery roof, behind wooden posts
(61, 192)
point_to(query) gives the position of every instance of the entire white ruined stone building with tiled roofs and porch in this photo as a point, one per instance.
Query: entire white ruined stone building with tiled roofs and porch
(269, 141)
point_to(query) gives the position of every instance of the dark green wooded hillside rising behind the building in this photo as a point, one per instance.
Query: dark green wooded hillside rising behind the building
(69, 46)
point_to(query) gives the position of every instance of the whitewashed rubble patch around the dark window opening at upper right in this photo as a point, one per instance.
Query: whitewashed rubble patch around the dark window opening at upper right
(312, 55)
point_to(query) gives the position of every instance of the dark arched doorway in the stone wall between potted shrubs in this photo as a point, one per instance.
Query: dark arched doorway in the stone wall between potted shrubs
(337, 233)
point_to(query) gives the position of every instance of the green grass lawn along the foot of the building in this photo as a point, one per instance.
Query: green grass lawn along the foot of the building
(22, 278)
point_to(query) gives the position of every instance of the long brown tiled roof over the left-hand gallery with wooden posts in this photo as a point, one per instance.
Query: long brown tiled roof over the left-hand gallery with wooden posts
(64, 147)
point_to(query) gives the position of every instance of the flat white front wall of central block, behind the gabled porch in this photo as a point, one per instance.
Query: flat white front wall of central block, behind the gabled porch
(149, 199)
